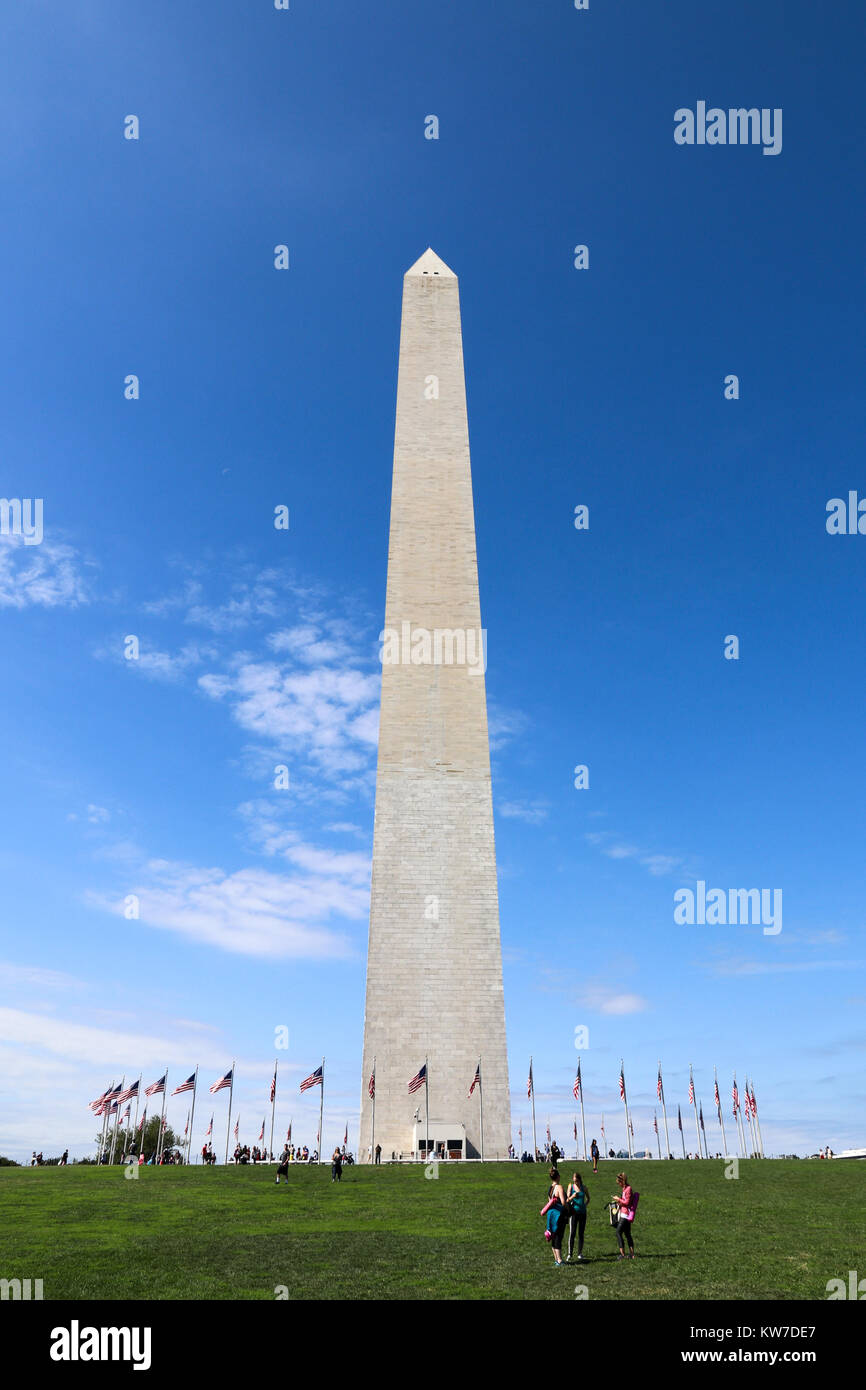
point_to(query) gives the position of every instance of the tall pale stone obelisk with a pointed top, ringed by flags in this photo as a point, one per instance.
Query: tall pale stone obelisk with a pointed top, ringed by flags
(434, 968)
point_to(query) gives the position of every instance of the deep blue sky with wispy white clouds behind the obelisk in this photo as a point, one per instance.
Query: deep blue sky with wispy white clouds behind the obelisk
(259, 647)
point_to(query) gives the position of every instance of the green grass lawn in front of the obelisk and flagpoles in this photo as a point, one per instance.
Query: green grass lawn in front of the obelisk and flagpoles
(475, 1232)
